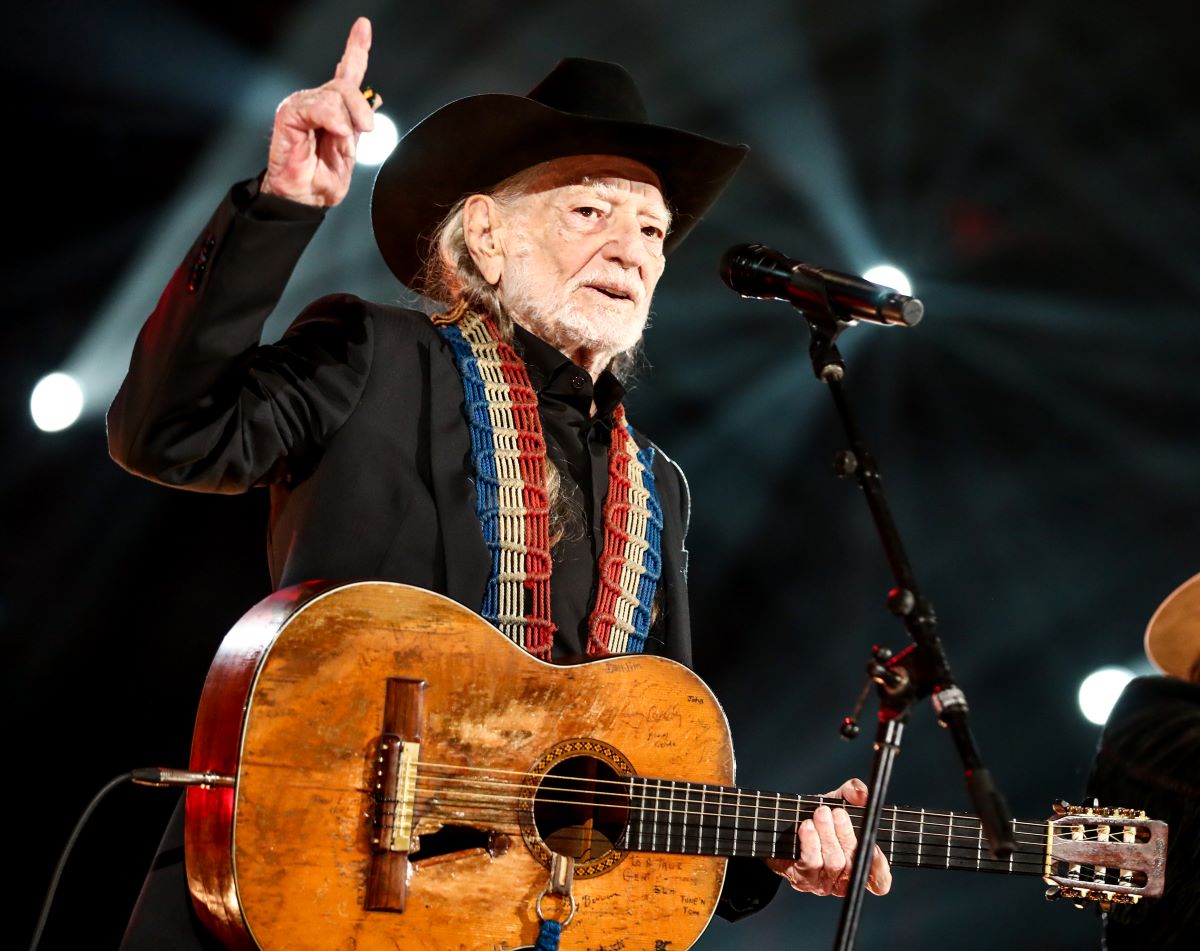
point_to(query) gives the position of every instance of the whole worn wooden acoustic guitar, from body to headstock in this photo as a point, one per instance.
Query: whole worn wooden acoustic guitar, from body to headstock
(387, 770)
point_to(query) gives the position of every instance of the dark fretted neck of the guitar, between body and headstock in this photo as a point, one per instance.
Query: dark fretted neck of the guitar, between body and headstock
(700, 820)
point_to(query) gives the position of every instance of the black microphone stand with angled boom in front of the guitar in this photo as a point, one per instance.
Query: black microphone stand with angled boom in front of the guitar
(919, 672)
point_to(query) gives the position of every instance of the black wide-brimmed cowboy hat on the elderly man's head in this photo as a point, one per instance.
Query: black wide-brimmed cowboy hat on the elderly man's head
(584, 107)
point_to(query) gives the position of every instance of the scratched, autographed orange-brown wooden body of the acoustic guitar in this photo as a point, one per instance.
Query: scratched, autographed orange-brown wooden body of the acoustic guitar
(295, 709)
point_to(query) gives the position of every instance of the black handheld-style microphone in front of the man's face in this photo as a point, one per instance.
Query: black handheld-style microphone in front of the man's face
(759, 272)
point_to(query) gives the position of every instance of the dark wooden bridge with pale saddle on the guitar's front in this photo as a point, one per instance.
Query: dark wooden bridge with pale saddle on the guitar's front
(395, 796)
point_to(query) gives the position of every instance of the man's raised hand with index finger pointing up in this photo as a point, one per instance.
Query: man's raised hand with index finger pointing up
(317, 130)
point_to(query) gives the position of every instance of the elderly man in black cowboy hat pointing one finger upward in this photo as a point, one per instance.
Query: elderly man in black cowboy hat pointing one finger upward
(541, 224)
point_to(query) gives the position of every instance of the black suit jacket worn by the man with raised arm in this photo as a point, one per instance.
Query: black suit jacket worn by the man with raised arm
(355, 421)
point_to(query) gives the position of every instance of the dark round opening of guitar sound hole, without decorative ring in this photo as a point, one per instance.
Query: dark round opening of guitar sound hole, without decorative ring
(581, 809)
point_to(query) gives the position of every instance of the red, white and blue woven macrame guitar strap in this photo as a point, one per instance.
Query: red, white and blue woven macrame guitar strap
(509, 457)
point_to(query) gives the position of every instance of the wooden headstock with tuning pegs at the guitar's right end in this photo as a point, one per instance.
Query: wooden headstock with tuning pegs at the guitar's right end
(1107, 856)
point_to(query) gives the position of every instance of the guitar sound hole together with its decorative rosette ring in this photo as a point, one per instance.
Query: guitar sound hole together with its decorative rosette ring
(575, 802)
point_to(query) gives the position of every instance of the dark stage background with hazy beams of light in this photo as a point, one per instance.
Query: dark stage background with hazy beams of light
(1031, 165)
